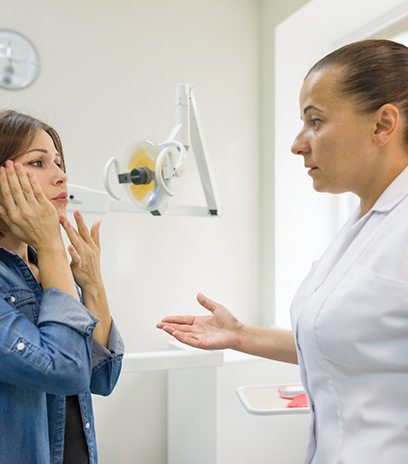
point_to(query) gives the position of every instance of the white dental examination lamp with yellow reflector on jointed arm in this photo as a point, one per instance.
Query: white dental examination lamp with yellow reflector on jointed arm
(149, 170)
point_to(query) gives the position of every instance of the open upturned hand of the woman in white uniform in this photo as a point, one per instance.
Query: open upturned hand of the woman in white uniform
(218, 331)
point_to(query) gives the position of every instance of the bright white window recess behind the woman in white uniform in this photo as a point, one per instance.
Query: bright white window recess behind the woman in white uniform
(304, 220)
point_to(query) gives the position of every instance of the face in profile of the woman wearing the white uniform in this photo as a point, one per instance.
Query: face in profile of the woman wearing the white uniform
(335, 140)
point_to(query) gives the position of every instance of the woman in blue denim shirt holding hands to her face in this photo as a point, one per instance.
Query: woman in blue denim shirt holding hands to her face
(57, 344)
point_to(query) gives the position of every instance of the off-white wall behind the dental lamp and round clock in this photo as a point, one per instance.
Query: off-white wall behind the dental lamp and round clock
(108, 77)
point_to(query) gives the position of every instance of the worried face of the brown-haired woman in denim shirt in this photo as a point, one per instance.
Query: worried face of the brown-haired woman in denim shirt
(43, 160)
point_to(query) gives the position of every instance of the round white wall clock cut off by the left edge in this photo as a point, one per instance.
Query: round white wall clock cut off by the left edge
(19, 60)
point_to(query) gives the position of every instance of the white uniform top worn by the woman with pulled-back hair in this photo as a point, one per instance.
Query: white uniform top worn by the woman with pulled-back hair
(350, 320)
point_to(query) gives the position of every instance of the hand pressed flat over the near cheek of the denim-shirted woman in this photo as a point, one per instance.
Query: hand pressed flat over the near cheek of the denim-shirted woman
(25, 209)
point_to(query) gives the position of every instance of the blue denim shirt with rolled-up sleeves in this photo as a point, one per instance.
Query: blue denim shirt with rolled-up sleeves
(46, 353)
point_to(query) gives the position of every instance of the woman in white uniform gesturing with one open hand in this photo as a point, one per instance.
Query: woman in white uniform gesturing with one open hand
(350, 315)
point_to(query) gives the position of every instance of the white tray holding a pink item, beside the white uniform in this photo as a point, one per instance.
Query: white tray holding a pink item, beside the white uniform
(264, 400)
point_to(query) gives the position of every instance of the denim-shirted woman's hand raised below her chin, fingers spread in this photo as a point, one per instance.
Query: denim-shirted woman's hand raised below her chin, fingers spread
(84, 250)
